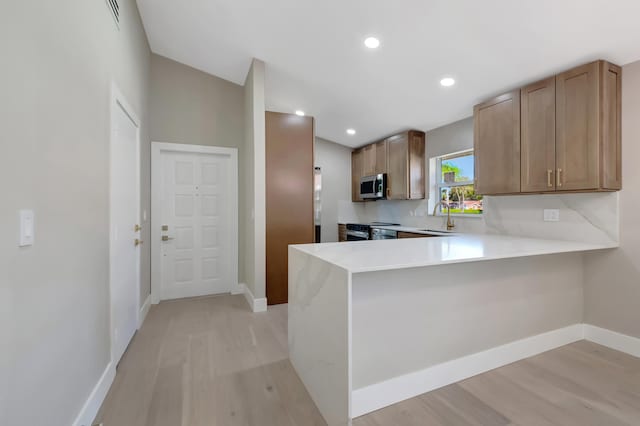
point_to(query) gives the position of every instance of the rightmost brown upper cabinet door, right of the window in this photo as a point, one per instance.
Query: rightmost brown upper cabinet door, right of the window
(577, 151)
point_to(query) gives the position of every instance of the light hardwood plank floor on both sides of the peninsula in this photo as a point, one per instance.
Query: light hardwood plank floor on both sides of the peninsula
(210, 361)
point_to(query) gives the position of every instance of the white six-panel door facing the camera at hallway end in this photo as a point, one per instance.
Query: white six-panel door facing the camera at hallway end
(196, 248)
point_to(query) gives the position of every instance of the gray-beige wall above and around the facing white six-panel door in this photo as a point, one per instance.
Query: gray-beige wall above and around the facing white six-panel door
(192, 107)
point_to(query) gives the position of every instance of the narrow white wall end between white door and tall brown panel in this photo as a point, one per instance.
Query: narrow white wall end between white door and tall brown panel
(254, 215)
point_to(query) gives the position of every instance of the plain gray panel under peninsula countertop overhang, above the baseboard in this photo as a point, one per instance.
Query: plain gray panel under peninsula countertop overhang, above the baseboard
(412, 319)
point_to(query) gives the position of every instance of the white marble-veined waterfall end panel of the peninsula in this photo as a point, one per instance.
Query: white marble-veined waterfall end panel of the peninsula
(319, 333)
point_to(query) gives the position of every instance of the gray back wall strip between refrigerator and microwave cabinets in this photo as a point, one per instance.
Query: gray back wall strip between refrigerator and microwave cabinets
(335, 162)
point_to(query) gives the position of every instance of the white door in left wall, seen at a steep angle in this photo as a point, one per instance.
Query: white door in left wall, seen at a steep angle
(124, 216)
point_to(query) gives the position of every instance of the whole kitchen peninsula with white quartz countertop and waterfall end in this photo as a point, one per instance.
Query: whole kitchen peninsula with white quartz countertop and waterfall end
(372, 323)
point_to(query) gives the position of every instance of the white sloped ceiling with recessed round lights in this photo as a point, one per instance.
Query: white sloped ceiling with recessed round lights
(317, 62)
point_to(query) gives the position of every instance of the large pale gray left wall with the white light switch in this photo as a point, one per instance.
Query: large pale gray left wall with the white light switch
(58, 62)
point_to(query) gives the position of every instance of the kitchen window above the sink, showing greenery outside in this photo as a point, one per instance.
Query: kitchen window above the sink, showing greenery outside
(454, 174)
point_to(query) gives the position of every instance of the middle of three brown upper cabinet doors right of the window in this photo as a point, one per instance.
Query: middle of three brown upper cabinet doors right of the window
(538, 136)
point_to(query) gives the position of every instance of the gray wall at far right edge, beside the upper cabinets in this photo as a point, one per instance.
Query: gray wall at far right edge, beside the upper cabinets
(612, 292)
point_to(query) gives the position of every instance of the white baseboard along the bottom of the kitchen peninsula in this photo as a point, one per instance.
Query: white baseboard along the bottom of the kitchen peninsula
(383, 394)
